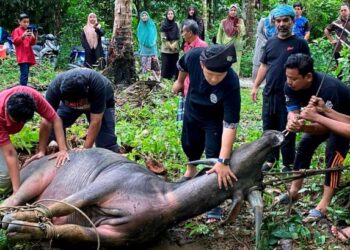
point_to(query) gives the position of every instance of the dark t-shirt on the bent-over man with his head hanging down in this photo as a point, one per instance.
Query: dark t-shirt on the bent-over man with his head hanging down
(100, 91)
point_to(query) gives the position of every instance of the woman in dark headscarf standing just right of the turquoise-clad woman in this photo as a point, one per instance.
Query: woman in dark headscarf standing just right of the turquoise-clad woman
(170, 34)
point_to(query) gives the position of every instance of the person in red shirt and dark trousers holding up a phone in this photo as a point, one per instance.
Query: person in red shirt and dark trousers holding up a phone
(23, 39)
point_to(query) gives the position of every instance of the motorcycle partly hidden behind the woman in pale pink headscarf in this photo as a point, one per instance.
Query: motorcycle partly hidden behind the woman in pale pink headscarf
(77, 56)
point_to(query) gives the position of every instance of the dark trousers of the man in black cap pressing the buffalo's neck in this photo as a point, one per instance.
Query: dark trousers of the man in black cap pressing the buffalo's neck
(199, 136)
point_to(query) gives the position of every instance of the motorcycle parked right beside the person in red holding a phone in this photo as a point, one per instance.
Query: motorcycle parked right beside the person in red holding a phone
(47, 50)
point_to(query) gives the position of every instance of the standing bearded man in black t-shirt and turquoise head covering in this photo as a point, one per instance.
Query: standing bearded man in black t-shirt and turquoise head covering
(277, 50)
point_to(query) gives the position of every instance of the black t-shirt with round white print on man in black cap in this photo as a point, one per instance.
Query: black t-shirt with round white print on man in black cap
(207, 103)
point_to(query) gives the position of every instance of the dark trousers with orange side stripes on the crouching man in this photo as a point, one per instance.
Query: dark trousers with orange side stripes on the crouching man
(336, 150)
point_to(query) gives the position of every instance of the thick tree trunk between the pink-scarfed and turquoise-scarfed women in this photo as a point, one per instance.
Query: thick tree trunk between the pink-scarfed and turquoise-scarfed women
(121, 55)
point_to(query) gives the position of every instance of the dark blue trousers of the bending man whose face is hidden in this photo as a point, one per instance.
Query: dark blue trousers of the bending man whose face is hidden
(106, 138)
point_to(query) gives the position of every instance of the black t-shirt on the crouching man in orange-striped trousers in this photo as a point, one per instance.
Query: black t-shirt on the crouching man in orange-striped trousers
(335, 94)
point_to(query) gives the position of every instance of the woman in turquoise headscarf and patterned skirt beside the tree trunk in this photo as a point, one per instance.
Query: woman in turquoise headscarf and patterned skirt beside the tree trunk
(147, 38)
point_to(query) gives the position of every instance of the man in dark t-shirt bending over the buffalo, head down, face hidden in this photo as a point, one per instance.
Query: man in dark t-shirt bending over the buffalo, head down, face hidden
(85, 91)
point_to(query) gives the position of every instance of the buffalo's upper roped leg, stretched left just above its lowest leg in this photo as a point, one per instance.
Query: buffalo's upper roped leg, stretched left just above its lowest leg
(87, 196)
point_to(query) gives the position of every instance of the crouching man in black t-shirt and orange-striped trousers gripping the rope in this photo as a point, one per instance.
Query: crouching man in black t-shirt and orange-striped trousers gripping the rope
(302, 84)
